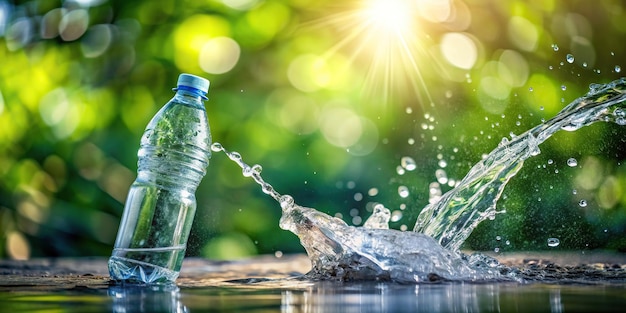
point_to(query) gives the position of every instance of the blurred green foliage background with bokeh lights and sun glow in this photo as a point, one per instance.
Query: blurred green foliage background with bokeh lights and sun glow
(328, 96)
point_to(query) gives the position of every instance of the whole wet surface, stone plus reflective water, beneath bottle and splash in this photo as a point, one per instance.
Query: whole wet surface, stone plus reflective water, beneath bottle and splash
(269, 284)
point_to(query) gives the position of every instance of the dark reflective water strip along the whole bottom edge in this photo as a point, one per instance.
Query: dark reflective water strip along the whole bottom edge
(327, 297)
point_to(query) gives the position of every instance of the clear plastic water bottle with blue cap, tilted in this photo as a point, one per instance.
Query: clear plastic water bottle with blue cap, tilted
(161, 203)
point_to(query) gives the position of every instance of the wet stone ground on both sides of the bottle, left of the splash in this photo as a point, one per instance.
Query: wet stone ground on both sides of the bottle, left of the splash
(71, 273)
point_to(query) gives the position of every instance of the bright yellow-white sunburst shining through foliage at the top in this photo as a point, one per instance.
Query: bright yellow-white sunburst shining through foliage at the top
(385, 39)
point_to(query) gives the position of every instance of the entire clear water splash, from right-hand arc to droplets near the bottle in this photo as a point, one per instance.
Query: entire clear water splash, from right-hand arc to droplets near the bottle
(431, 251)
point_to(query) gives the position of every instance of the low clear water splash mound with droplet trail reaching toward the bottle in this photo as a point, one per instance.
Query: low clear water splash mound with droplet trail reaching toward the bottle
(372, 252)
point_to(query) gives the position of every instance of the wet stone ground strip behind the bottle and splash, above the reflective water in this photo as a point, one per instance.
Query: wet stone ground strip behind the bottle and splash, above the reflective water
(72, 273)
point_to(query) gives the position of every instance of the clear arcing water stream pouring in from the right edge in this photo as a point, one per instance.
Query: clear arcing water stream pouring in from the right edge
(451, 219)
